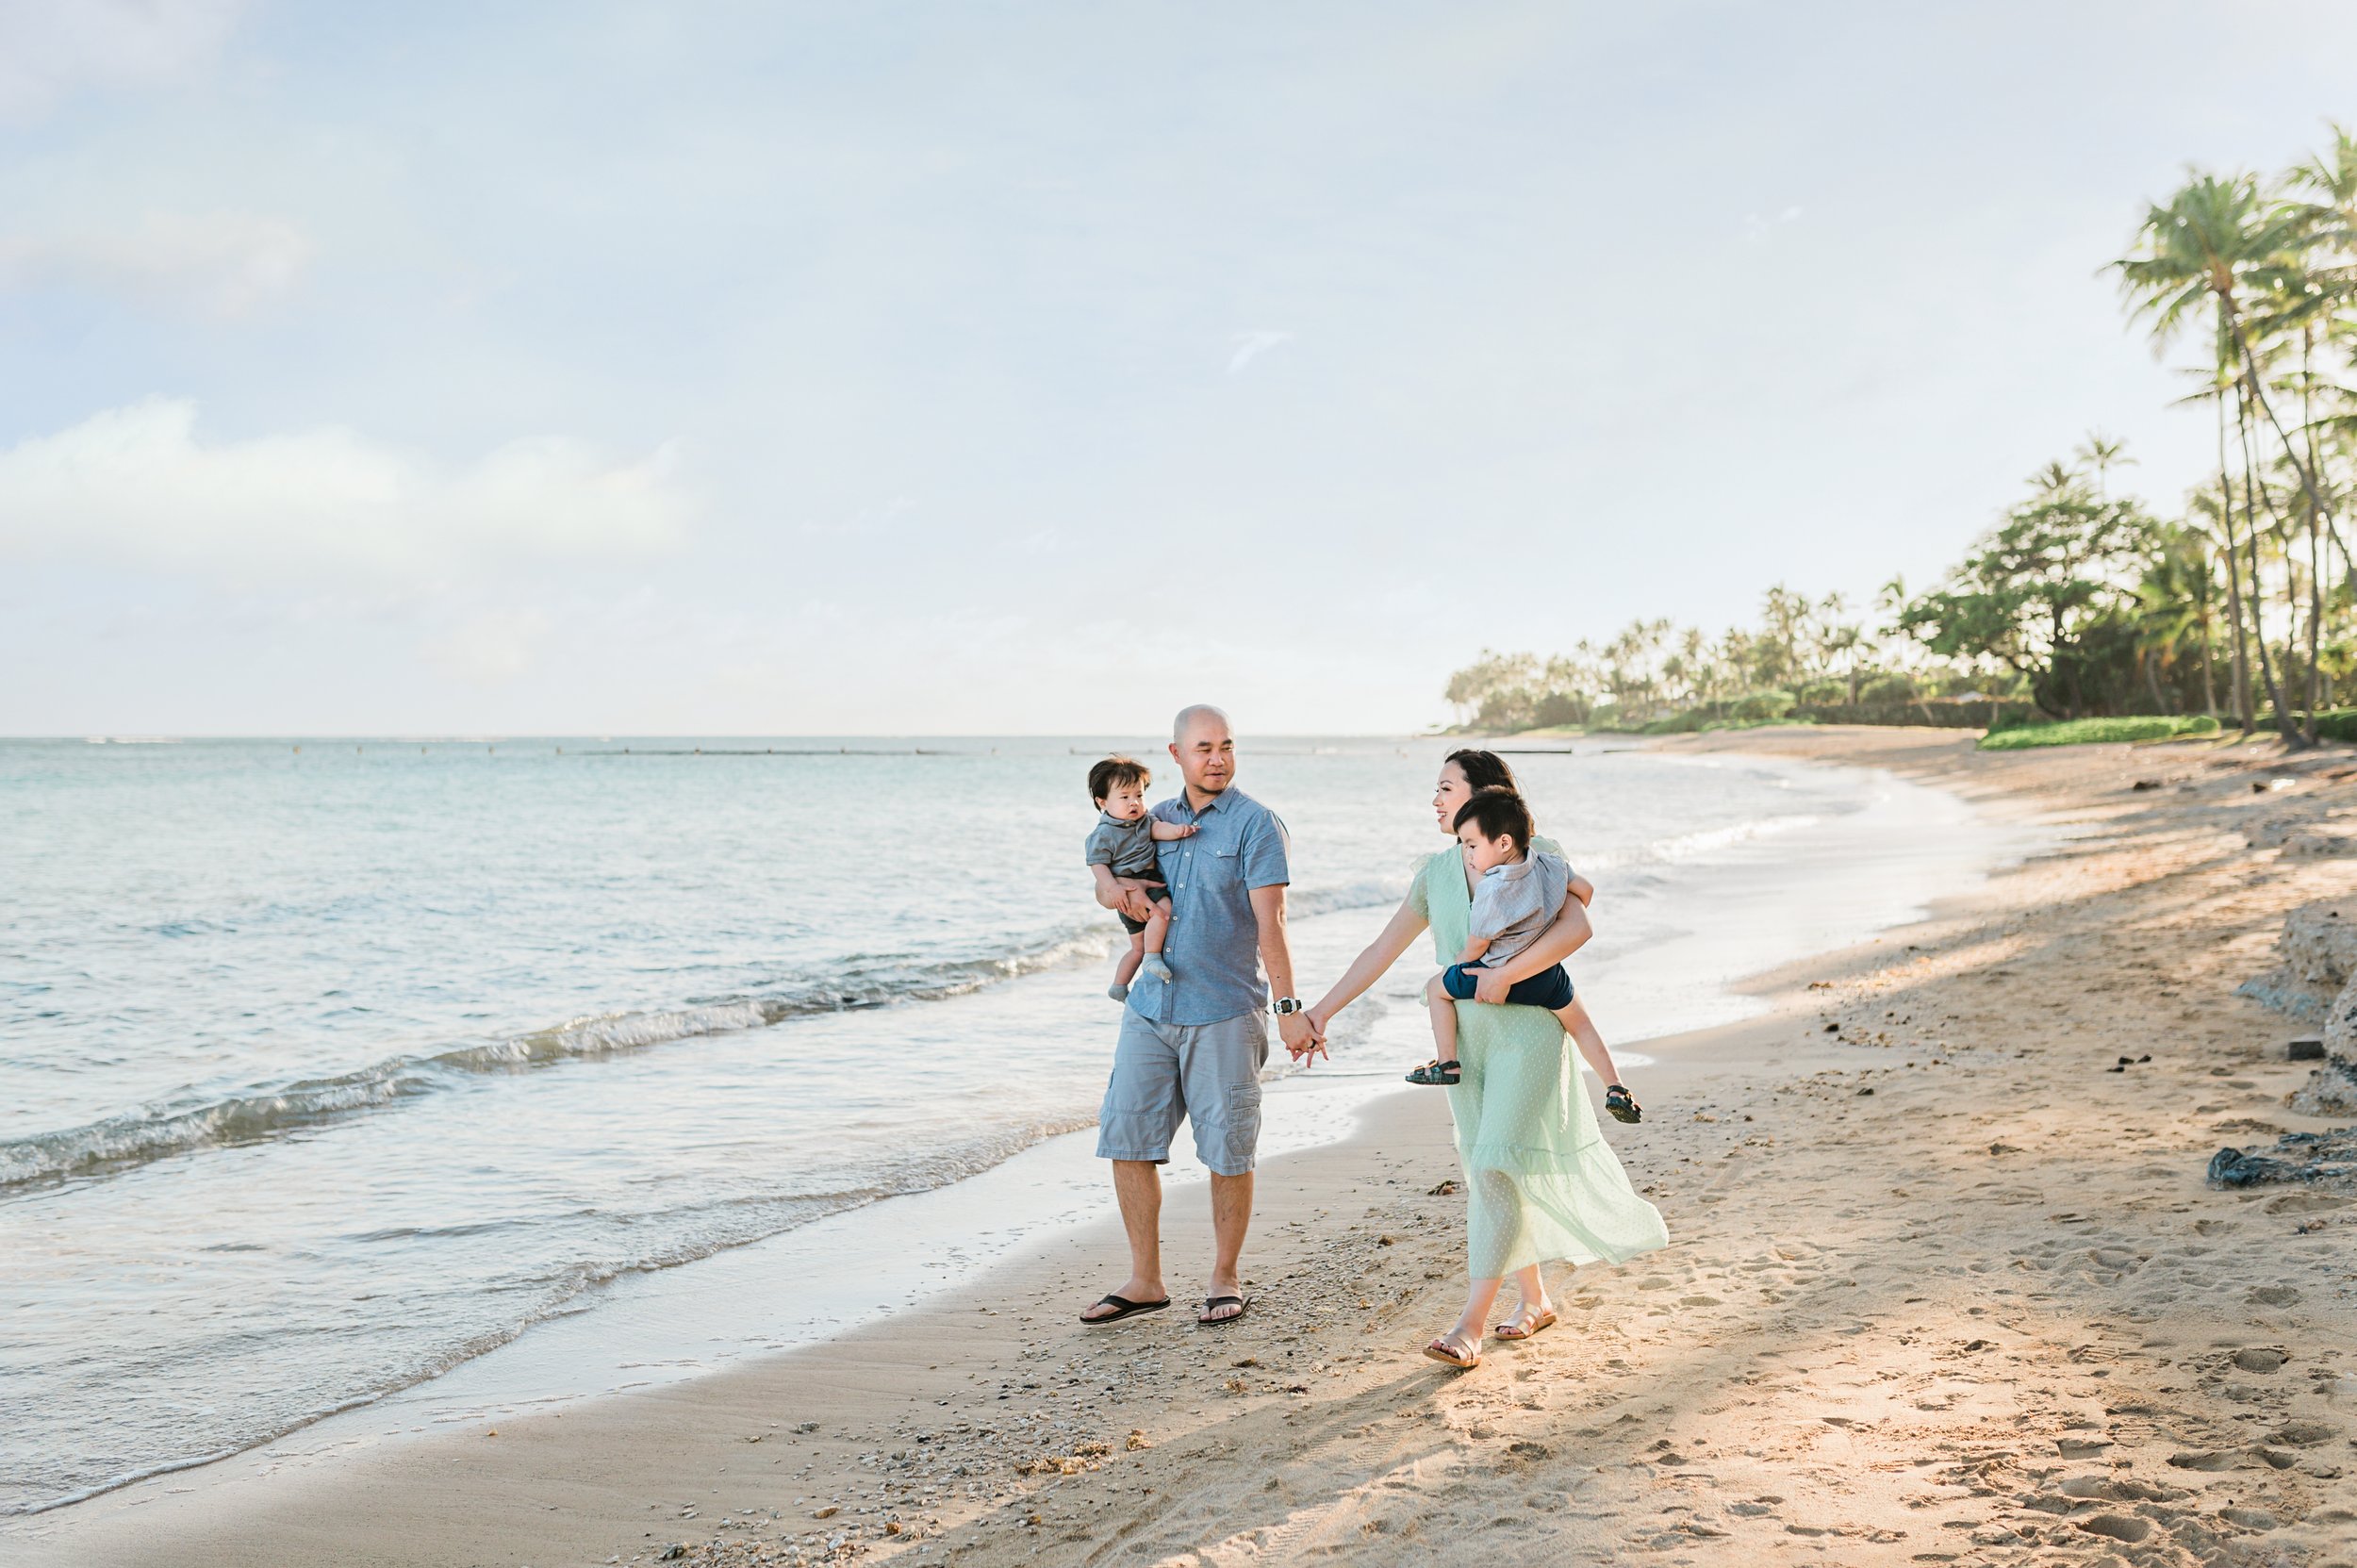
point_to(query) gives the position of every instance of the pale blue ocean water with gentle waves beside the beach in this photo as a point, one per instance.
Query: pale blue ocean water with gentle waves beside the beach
(326, 1067)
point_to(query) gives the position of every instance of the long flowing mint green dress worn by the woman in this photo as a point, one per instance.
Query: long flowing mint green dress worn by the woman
(1540, 1180)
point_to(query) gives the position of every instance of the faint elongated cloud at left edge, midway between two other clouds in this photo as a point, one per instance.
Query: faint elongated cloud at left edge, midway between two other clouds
(206, 263)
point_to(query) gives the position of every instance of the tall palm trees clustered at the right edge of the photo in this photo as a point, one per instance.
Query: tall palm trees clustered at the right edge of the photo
(2262, 275)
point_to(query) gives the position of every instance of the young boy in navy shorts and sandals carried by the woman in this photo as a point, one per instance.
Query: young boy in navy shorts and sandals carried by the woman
(1517, 897)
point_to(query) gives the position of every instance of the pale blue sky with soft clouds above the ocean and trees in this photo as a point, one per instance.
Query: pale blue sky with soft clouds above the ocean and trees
(1038, 369)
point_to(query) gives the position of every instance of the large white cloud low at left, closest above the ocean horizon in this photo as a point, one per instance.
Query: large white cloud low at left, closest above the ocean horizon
(138, 485)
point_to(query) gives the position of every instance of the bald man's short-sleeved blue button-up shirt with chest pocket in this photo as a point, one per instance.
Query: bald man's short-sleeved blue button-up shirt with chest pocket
(1215, 940)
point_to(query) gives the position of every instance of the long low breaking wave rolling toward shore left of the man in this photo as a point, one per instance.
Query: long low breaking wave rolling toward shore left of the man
(157, 1133)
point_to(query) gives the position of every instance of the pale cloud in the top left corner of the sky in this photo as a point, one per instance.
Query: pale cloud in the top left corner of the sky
(51, 48)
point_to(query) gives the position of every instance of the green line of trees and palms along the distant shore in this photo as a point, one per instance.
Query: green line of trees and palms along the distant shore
(2082, 600)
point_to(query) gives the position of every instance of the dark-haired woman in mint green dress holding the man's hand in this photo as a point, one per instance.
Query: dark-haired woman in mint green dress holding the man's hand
(1540, 1180)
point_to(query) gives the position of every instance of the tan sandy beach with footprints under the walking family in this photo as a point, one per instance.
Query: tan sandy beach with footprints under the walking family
(1943, 1286)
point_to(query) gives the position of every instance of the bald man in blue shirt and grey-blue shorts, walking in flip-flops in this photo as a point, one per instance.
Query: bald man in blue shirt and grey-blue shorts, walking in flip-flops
(1191, 1048)
